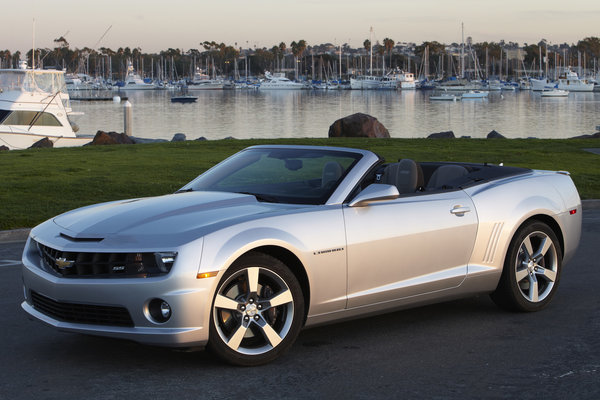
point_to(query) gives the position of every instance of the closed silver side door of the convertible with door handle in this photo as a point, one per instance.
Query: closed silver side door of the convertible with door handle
(408, 246)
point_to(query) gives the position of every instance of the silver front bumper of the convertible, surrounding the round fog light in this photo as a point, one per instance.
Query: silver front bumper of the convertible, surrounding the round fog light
(190, 300)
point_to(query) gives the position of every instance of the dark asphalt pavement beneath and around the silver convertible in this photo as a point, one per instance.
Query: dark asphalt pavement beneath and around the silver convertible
(467, 349)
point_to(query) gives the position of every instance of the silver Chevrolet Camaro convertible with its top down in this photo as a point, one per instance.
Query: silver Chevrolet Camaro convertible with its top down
(276, 238)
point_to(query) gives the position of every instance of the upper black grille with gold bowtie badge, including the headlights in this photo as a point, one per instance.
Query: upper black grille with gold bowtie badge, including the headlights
(71, 264)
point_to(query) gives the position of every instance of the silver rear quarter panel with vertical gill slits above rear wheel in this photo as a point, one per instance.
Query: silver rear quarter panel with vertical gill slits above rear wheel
(504, 205)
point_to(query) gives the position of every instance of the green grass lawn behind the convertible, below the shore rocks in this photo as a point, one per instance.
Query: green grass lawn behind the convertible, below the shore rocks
(37, 184)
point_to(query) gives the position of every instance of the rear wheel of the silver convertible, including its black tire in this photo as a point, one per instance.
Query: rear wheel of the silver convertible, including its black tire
(531, 269)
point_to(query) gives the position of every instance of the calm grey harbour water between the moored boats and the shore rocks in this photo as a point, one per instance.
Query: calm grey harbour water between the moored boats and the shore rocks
(301, 113)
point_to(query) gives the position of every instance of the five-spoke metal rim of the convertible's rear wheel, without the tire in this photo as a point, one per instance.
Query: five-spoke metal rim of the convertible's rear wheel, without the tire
(536, 267)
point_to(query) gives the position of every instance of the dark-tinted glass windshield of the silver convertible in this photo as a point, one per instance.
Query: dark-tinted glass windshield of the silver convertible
(282, 175)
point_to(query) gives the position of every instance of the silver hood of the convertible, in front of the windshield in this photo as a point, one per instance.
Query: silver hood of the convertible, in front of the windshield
(174, 218)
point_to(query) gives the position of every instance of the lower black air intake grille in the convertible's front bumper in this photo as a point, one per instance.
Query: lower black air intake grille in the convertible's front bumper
(81, 313)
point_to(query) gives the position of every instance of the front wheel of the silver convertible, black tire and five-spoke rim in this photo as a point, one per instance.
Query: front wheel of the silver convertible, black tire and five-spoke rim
(257, 311)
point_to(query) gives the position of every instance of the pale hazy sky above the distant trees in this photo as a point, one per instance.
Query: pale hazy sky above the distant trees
(158, 25)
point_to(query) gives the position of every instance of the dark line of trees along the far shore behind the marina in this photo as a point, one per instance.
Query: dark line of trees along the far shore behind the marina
(299, 58)
